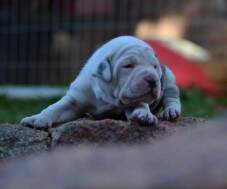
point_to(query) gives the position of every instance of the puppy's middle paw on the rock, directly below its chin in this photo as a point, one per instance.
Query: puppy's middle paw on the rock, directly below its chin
(143, 117)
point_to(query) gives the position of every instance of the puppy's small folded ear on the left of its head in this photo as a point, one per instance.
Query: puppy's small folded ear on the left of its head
(104, 71)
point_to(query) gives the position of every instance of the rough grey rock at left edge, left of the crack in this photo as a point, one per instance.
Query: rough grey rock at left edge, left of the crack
(16, 140)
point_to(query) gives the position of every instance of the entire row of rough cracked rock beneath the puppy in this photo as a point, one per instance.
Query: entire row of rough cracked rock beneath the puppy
(16, 140)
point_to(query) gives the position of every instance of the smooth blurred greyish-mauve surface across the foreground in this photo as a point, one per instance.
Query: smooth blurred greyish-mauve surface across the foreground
(189, 158)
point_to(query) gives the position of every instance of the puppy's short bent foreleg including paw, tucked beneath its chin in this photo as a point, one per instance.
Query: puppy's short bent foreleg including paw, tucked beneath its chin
(141, 114)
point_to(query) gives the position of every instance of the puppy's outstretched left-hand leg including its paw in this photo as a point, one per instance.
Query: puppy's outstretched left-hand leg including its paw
(62, 111)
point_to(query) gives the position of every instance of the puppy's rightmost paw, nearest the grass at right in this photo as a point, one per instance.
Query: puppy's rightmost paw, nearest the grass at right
(170, 113)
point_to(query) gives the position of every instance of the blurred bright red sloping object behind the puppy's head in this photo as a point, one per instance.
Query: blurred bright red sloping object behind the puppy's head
(187, 72)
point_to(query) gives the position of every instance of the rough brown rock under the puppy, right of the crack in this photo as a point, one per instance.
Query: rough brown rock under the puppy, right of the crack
(114, 131)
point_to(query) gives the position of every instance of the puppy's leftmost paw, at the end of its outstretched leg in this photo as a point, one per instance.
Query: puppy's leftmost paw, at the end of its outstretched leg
(37, 121)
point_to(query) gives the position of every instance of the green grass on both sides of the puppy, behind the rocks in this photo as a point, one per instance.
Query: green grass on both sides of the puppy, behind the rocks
(194, 103)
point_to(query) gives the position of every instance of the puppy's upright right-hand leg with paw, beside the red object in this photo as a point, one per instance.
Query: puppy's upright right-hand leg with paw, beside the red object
(171, 99)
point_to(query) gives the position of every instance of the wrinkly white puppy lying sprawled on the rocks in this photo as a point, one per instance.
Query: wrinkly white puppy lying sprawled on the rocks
(122, 76)
